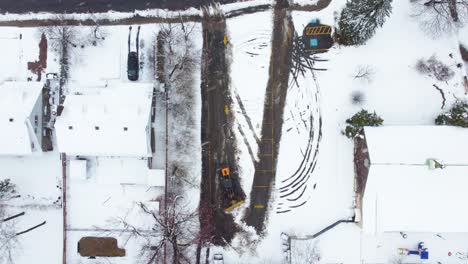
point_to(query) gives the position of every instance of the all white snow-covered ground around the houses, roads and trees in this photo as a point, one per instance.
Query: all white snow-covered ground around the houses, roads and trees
(395, 90)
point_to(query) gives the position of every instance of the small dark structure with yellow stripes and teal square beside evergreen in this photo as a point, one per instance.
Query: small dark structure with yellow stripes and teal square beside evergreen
(317, 37)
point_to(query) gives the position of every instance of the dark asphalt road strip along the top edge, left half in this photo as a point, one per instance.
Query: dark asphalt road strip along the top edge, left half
(70, 6)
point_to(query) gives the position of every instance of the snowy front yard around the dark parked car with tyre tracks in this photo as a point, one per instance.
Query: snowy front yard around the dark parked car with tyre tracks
(108, 60)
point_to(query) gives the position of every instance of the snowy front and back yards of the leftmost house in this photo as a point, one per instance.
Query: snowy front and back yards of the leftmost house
(38, 177)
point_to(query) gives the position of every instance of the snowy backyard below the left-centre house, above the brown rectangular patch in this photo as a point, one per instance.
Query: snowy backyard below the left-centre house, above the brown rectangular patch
(113, 189)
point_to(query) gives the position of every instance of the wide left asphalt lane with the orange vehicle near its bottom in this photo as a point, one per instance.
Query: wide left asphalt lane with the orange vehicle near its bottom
(218, 139)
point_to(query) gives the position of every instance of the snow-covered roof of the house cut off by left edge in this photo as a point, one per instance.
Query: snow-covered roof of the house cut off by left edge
(17, 102)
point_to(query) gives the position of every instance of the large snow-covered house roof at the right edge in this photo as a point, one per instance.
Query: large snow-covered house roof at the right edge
(402, 193)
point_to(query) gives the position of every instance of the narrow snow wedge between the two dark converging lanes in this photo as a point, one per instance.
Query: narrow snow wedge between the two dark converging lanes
(250, 51)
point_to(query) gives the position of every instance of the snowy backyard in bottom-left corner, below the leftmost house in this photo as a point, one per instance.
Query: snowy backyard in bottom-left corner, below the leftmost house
(37, 179)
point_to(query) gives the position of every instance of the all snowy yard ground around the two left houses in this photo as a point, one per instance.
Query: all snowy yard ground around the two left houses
(113, 186)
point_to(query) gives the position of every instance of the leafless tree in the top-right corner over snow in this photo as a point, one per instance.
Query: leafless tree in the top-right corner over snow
(440, 16)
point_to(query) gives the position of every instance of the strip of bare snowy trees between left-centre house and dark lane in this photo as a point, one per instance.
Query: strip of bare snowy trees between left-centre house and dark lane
(178, 58)
